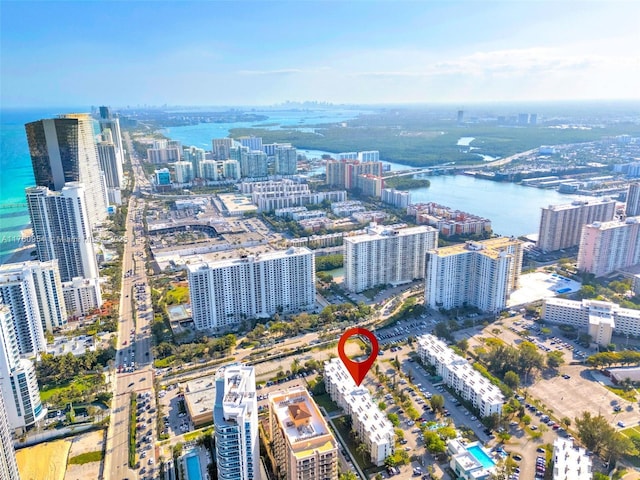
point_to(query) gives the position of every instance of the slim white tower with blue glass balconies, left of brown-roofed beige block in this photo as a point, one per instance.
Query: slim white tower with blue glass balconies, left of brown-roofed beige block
(235, 419)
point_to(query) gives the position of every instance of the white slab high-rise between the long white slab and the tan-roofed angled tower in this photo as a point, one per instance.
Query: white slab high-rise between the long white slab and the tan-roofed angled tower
(386, 255)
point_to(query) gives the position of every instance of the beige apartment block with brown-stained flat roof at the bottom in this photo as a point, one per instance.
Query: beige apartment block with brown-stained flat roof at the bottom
(303, 445)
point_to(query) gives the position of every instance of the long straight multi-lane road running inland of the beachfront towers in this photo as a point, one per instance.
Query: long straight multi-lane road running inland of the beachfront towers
(134, 345)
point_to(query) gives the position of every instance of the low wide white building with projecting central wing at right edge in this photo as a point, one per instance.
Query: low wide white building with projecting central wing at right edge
(600, 318)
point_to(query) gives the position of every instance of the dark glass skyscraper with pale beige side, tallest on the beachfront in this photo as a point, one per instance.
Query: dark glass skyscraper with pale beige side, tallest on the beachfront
(64, 150)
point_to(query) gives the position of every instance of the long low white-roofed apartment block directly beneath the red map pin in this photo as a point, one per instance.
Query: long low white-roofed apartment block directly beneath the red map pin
(371, 425)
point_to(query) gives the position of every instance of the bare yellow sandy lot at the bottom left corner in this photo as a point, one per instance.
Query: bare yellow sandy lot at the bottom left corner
(51, 461)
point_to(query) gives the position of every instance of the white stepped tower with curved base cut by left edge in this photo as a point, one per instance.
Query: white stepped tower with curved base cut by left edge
(18, 382)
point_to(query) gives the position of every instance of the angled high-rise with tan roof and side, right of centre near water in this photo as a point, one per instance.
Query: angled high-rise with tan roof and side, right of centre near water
(480, 274)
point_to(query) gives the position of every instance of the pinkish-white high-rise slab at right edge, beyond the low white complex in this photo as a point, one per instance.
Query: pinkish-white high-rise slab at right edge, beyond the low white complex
(609, 246)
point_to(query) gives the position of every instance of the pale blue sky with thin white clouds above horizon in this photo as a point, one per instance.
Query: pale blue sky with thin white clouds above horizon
(364, 52)
